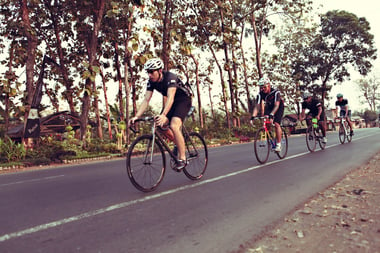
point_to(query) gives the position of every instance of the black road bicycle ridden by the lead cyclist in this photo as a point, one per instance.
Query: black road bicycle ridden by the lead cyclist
(146, 160)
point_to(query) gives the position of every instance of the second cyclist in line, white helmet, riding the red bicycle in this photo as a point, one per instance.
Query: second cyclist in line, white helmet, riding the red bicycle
(270, 102)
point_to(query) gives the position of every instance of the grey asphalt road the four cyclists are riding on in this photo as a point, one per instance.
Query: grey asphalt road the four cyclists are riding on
(94, 208)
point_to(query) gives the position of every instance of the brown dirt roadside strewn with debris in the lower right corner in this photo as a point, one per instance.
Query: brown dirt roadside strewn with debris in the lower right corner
(342, 218)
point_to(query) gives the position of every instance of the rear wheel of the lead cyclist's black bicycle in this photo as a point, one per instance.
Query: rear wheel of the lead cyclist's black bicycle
(196, 155)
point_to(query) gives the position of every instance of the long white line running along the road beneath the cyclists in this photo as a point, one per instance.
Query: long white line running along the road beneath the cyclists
(93, 213)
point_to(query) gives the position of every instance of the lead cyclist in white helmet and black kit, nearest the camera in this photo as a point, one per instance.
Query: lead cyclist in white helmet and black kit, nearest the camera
(177, 103)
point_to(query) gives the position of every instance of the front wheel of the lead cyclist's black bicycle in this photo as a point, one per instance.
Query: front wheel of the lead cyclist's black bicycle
(145, 163)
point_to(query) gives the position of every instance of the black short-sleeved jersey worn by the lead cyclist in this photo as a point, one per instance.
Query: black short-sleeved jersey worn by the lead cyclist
(169, 80)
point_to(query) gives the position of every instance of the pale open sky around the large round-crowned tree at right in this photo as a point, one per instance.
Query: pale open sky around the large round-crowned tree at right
(369, 10)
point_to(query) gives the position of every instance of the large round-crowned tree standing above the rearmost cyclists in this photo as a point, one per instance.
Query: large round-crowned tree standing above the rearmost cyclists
(343, 41)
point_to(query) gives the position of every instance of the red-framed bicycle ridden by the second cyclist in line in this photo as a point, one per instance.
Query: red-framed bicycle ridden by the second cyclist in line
(265, 141)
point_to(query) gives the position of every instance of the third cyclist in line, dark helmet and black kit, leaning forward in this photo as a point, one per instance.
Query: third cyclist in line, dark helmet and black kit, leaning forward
(316, 110)
